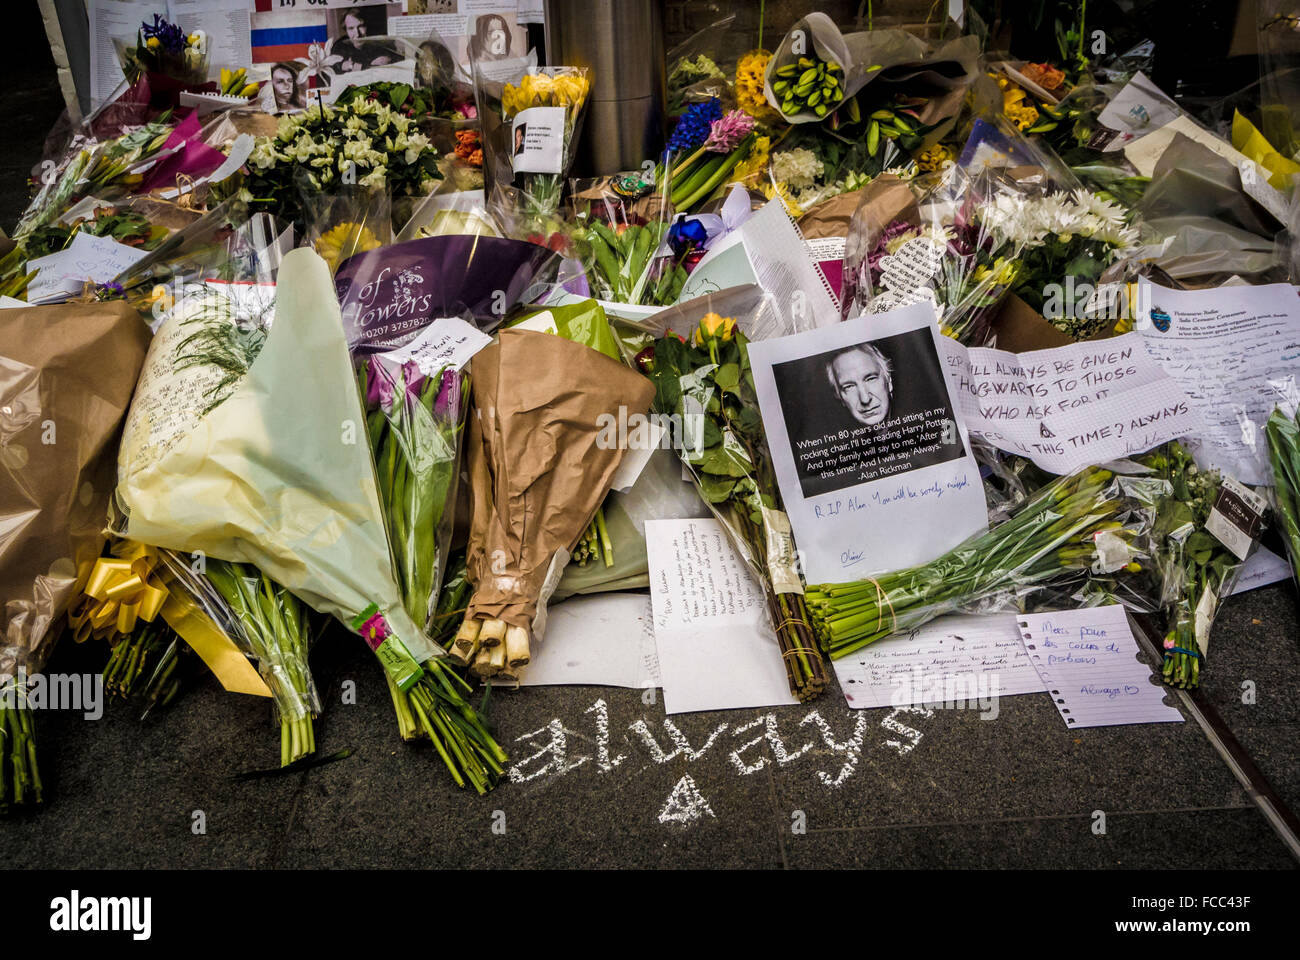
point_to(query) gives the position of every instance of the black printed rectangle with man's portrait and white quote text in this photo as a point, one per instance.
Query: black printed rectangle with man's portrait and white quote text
(866, 412)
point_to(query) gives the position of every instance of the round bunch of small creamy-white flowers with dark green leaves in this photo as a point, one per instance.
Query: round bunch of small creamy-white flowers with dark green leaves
(362, 144)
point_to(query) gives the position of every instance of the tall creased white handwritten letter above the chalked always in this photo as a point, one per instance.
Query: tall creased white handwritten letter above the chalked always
(717, 647)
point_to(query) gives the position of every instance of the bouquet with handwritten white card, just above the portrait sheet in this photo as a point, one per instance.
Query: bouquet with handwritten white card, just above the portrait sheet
(944, 250)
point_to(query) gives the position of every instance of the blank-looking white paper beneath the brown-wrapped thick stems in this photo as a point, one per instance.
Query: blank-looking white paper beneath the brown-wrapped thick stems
(604, 641)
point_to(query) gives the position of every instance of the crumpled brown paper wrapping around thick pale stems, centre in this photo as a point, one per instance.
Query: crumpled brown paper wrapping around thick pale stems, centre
(538, 473)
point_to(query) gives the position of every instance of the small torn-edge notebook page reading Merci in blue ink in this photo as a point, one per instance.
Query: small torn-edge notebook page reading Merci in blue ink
(1090, 664)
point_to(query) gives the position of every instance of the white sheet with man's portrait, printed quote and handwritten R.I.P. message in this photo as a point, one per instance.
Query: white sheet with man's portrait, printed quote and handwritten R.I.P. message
(868, 444)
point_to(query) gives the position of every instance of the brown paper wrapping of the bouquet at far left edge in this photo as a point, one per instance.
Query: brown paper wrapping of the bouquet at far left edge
(67, 377)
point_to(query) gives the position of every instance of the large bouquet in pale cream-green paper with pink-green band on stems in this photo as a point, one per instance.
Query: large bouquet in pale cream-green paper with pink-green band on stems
(258, 457)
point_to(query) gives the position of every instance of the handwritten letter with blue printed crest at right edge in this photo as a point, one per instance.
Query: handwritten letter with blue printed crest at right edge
(1232, 349)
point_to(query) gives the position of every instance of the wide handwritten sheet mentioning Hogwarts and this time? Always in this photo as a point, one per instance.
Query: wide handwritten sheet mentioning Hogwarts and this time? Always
(1071, 407)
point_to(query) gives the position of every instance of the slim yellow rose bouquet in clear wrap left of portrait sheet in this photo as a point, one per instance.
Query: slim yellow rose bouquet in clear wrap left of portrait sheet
(707, 383)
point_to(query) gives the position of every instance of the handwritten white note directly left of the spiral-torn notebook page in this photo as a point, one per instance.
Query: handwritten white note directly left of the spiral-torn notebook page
(955, 660)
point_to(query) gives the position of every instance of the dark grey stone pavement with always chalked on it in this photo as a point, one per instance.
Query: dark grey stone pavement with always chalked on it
(596, 768)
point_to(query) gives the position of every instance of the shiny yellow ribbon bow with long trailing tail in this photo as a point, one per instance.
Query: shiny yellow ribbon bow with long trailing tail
(133, 587)
